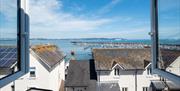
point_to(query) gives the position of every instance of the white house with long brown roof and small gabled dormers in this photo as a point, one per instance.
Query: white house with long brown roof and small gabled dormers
(123, 69)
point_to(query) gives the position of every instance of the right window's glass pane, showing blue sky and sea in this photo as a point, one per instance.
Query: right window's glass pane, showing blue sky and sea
(169, 35)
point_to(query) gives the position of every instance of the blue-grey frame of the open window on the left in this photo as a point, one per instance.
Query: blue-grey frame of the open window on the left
(23, 43)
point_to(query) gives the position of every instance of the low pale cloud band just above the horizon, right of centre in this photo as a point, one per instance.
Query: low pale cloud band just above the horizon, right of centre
(128, 33)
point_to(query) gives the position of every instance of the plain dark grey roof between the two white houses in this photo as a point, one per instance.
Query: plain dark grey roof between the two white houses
(79, 75)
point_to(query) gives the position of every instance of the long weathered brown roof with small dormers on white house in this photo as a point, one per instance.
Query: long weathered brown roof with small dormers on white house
(105, 59)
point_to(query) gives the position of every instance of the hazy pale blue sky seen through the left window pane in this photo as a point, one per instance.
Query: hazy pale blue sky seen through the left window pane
(8, 19)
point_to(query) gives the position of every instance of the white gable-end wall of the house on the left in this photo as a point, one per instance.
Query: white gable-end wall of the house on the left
(40, 81)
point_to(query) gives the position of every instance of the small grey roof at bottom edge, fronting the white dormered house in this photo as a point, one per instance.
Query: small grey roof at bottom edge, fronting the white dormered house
(109, 87)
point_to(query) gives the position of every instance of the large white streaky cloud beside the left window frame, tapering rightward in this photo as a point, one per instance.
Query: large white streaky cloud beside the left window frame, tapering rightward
(47, 16)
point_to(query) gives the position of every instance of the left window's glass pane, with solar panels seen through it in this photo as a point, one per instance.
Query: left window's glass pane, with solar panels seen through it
(8, 37)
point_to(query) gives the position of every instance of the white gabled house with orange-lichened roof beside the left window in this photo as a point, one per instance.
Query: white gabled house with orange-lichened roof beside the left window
(46, 71)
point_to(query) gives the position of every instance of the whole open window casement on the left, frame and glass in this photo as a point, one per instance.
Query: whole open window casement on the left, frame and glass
(14, 40)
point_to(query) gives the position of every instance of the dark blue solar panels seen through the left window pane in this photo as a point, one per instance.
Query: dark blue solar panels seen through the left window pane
(8, 56)
